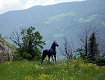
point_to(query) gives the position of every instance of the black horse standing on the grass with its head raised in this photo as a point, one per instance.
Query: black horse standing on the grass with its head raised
(50, 52)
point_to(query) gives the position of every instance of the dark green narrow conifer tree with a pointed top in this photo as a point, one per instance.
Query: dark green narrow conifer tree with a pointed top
(93, 47)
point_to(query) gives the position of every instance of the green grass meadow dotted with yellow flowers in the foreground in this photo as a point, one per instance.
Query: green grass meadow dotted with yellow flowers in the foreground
(31, 70)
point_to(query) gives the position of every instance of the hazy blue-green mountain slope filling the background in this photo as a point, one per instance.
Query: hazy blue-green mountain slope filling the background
(56, 21)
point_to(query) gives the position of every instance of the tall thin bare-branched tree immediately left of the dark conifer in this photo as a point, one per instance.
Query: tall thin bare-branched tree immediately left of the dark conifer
(86, 33)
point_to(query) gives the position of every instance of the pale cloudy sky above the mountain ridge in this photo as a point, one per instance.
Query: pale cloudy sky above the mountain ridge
(9, 5)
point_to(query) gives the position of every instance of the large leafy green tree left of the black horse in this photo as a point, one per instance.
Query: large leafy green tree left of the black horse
(29, 43)
